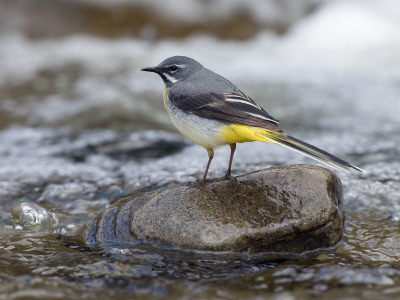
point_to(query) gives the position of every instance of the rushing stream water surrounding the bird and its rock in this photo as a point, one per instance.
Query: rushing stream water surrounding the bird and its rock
(81, 126)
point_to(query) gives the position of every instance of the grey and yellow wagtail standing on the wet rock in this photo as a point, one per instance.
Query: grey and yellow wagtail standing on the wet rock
(211, 111)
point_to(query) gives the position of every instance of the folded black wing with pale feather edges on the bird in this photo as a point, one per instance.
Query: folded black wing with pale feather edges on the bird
(235, 107)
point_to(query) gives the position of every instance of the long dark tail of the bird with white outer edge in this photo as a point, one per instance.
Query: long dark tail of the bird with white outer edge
(309, 150)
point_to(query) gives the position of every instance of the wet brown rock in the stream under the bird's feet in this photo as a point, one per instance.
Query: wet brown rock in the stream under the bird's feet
(291, 209)
